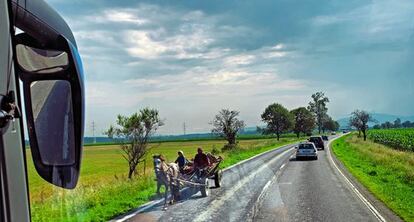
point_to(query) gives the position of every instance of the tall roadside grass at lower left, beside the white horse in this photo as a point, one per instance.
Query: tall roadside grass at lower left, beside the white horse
(94, 203)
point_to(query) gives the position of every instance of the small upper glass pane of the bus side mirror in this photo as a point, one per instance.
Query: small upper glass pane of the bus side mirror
(41, 61)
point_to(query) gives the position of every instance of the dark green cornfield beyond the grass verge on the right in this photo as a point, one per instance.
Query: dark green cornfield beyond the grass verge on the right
(402, 139)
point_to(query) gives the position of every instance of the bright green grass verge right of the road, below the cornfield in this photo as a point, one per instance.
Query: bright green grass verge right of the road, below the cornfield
(384, 171)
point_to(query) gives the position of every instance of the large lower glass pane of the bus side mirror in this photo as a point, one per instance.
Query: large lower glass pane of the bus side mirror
(53, 121)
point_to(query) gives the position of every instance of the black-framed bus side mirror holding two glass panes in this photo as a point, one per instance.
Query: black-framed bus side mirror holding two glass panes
(53, 91)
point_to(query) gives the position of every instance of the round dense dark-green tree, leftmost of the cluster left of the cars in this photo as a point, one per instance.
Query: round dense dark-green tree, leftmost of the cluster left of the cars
(278, 119)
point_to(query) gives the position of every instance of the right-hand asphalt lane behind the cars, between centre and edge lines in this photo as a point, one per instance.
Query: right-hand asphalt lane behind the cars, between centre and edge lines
(312, 191)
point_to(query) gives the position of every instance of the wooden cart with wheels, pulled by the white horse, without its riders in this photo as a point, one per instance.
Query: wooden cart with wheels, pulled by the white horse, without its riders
(199, 178)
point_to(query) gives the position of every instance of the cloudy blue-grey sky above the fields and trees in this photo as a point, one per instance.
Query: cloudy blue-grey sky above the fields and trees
(189, 59)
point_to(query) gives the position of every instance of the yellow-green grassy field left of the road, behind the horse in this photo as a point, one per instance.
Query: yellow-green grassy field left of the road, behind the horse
(104, 191)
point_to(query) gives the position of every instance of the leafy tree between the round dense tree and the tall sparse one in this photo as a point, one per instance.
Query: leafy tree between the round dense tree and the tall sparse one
(304, 121)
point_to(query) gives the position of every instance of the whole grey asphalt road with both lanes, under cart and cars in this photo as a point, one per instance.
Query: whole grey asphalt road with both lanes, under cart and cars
(274, 187)
